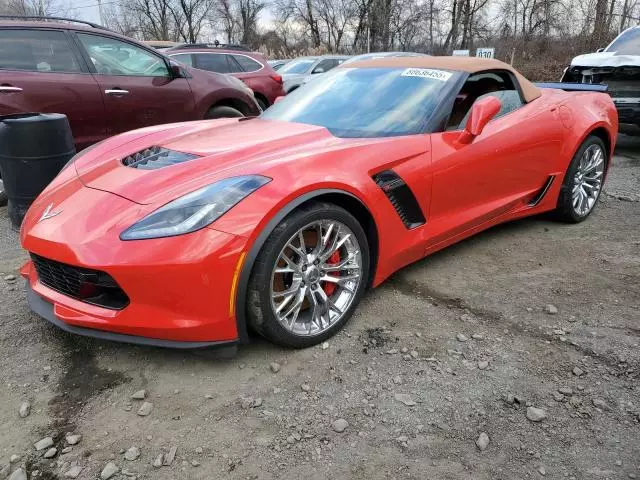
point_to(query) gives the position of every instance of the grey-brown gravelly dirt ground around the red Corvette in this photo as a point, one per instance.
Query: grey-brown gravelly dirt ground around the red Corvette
(454, 346)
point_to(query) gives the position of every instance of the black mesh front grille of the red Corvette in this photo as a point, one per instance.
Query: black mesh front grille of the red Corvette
(90, 286)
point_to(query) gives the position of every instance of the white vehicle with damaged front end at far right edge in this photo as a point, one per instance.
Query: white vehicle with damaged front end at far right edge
(617, 66)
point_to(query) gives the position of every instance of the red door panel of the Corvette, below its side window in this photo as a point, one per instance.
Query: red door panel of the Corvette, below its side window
(500, 170)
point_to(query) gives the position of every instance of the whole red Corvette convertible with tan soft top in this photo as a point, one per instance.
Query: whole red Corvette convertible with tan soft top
(188, 235)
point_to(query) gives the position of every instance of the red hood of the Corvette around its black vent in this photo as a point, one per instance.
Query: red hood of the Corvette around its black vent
(219, 149)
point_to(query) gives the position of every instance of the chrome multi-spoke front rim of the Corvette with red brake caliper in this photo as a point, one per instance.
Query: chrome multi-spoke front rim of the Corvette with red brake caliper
(316, 277)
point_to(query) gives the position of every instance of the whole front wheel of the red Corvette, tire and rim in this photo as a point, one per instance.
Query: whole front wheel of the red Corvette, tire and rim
(309, 276)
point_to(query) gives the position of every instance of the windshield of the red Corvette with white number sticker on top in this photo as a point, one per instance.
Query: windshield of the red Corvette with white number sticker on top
(367, 102)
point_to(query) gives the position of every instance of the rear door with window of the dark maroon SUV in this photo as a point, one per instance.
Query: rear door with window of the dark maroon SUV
(40, 72)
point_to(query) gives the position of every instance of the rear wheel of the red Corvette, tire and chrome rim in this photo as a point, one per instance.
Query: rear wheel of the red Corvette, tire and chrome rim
(583, 181)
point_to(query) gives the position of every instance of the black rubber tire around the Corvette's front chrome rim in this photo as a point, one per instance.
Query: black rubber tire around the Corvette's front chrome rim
(260, 313)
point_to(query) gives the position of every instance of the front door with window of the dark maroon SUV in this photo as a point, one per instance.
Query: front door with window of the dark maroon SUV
(137, 88)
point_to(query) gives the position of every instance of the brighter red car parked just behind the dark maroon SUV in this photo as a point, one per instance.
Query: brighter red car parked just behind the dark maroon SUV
(250, 67)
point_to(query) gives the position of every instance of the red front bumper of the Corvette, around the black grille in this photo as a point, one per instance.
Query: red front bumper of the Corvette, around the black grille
(180, 289)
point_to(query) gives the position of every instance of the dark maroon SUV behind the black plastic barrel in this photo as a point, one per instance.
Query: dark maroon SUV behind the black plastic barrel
(106, 83)
